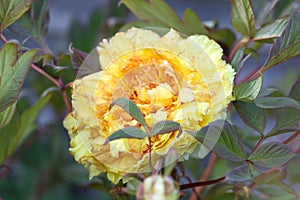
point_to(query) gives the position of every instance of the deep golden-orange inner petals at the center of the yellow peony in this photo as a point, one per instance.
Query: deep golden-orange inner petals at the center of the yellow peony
(158, 82)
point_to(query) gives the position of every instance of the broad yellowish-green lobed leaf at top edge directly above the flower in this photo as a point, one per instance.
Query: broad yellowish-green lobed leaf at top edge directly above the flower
(158, 13)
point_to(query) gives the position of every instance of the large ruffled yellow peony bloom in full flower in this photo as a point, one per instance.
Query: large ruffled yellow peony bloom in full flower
(168, 77)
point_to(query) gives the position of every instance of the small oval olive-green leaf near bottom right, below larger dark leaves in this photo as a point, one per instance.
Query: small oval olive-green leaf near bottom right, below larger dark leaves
(273, 175)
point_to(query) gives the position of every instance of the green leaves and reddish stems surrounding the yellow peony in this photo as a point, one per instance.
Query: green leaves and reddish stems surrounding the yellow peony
(257, 151)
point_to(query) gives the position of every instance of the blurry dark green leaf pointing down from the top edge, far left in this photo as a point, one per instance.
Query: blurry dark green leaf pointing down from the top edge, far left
(37, 19)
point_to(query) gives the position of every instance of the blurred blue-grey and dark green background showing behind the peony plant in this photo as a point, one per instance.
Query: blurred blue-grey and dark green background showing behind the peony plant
(42, 168)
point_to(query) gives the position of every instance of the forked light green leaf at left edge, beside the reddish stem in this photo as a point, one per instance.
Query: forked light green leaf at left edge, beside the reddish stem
(12, 73)
